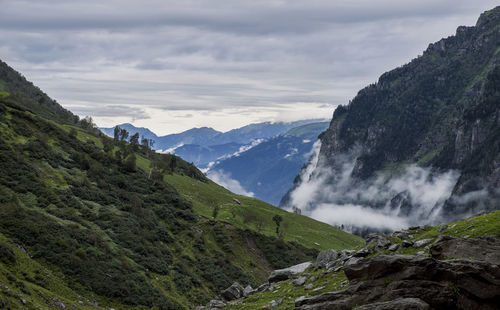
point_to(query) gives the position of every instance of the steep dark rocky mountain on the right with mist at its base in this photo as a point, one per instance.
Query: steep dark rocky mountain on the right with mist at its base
(421, 145)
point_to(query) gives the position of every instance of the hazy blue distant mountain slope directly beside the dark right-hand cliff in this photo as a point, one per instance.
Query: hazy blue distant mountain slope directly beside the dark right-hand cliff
(268, 169)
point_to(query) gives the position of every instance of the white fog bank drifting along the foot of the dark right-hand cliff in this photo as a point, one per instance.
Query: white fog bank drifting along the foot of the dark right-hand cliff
(392, 199)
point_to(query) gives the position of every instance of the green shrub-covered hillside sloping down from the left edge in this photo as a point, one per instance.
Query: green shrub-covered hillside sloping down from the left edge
(89, 222)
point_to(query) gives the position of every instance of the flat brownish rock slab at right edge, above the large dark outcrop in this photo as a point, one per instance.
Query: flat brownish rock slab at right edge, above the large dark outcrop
(484, 249)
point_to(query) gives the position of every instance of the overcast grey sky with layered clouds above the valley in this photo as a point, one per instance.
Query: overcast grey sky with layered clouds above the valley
(174, 65)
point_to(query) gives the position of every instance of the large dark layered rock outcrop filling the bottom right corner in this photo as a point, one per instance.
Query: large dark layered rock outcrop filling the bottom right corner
(402, 278)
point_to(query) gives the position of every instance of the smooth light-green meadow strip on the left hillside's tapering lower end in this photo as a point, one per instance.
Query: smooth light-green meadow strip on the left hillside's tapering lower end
(257, 215)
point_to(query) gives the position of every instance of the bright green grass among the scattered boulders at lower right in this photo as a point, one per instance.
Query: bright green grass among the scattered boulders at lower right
(488, 224)
